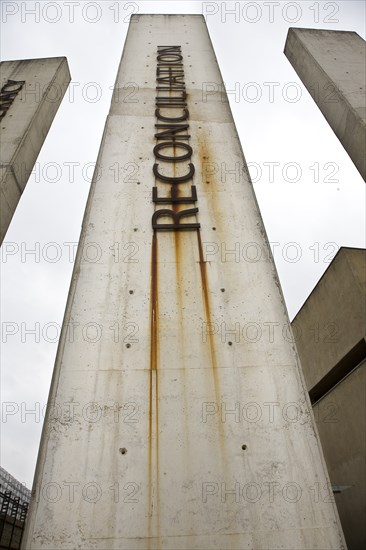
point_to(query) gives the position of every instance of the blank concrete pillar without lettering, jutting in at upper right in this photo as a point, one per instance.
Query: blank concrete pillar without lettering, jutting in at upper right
(332, 66)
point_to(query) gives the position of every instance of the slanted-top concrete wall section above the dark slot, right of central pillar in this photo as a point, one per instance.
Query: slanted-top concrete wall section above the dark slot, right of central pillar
(333, 318)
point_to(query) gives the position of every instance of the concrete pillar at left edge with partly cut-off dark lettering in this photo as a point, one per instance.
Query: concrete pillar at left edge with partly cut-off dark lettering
(26, 122)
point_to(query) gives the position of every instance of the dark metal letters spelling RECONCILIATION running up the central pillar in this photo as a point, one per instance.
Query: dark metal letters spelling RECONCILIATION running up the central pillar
(172, 135)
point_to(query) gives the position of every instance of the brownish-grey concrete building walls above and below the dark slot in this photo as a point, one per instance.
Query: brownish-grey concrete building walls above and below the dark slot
(328, 326)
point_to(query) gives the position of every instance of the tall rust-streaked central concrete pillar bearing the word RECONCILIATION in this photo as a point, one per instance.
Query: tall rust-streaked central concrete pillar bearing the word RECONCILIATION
(179, 417)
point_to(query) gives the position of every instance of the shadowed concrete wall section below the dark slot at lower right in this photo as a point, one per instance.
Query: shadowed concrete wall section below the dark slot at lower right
(341, 421)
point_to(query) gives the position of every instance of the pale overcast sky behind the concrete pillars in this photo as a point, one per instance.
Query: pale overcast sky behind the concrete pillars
(317, 201)
